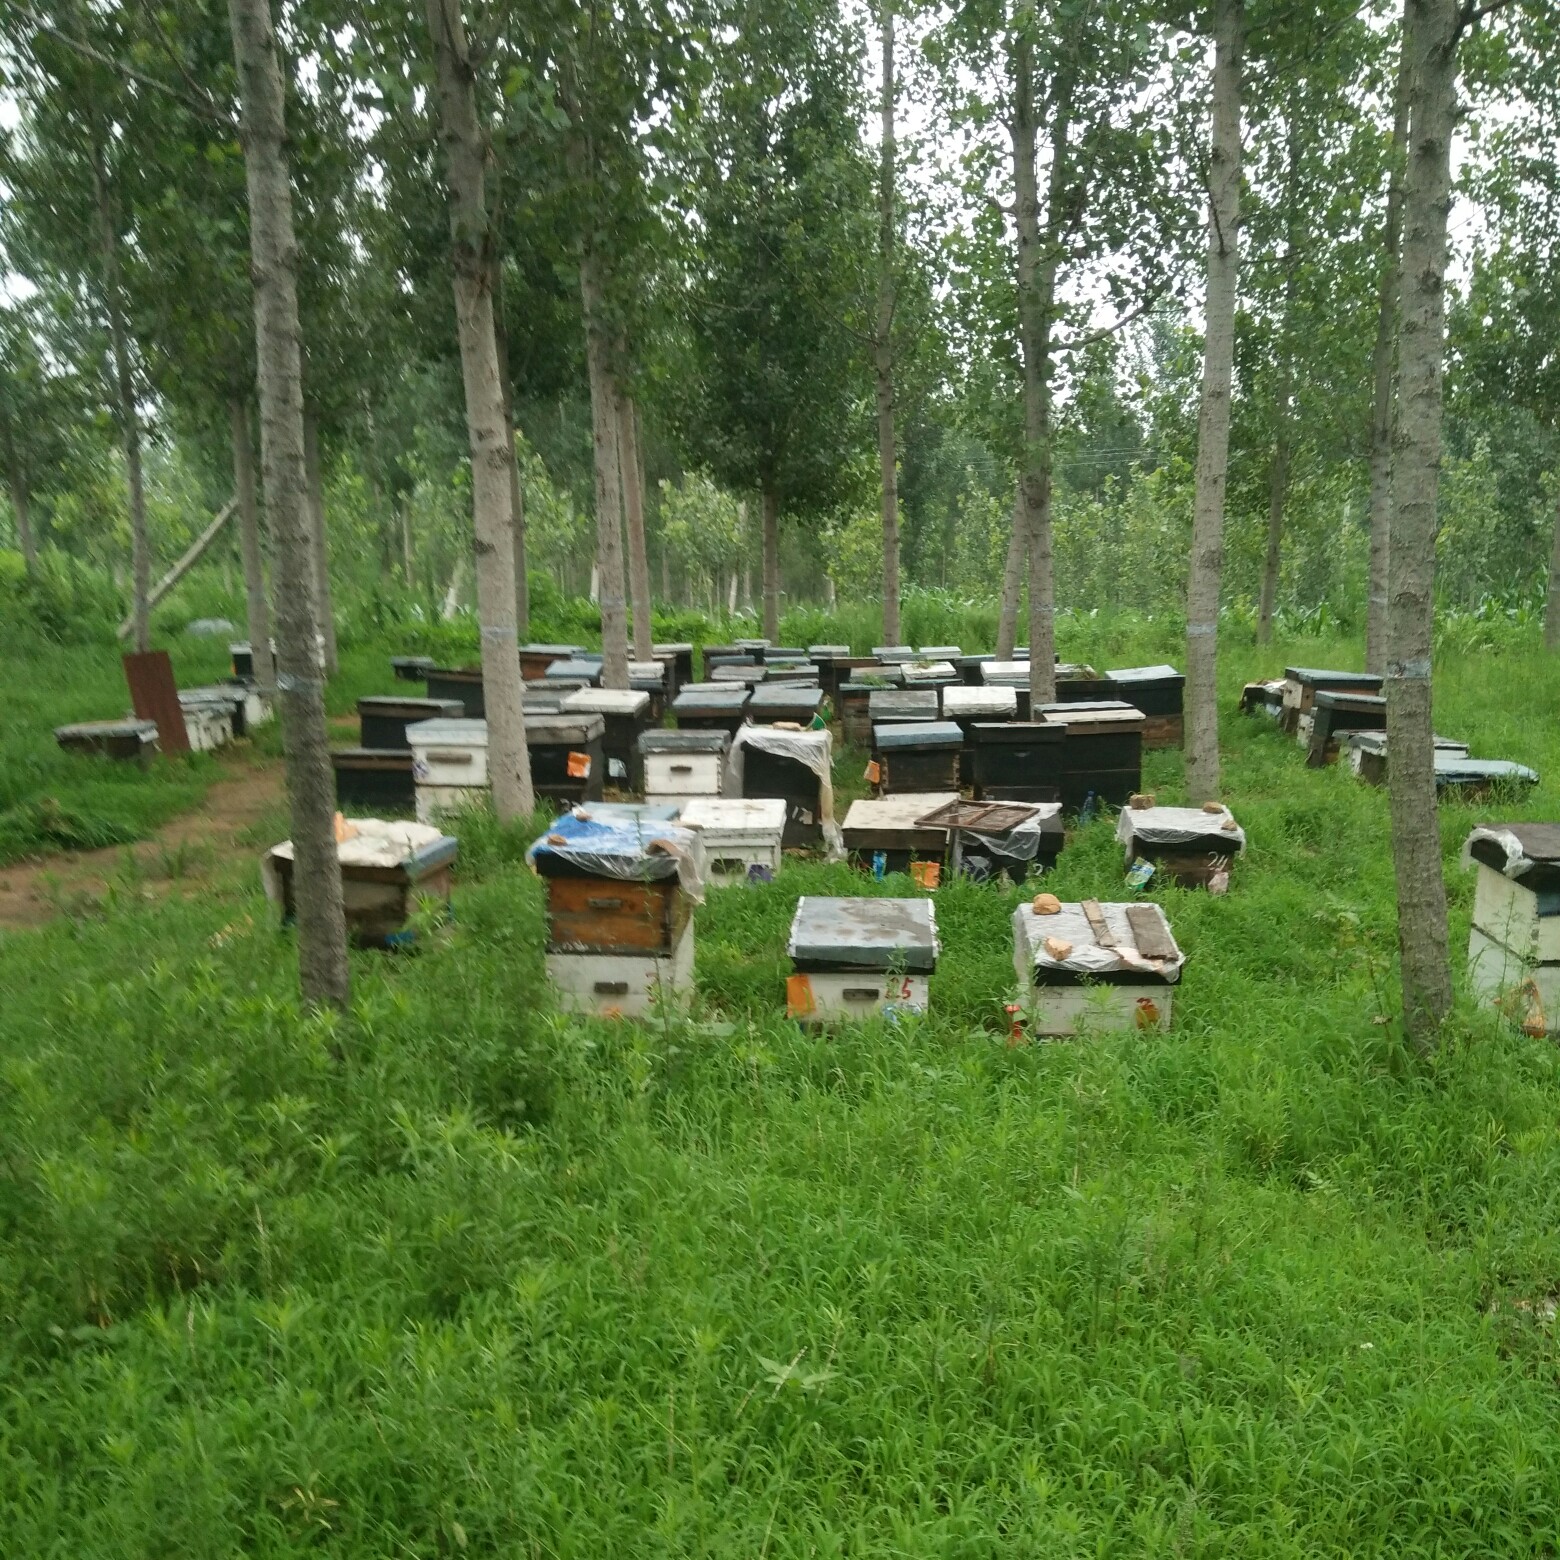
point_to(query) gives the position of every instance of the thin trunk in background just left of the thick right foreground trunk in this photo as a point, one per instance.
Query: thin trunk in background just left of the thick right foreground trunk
(1384, 366)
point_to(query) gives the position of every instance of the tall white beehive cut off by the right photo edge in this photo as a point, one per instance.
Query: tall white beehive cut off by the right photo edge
(1514, 945)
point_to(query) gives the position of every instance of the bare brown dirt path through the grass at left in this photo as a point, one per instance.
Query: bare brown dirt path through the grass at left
(185, 854)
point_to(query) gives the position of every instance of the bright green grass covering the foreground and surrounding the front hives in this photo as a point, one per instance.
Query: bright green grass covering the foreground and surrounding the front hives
(450, 1275)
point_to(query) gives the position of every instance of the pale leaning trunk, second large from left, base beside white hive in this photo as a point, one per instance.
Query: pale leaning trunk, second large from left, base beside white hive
(487, 427)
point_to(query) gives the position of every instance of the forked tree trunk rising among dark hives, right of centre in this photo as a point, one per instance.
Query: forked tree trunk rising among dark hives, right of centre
(1037, 277)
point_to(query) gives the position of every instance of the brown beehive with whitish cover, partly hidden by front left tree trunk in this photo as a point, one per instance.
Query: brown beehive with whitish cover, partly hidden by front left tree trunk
(386, 870)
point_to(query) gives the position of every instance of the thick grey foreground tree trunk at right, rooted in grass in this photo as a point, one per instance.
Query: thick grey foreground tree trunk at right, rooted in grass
(1431, 44)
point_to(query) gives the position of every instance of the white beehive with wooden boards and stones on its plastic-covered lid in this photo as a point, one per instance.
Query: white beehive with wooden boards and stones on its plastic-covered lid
(1108, 968)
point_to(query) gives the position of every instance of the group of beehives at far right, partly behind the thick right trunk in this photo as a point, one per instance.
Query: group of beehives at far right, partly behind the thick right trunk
(1339, 715)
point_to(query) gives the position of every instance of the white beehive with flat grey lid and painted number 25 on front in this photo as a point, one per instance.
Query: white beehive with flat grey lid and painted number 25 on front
(853, 959)
